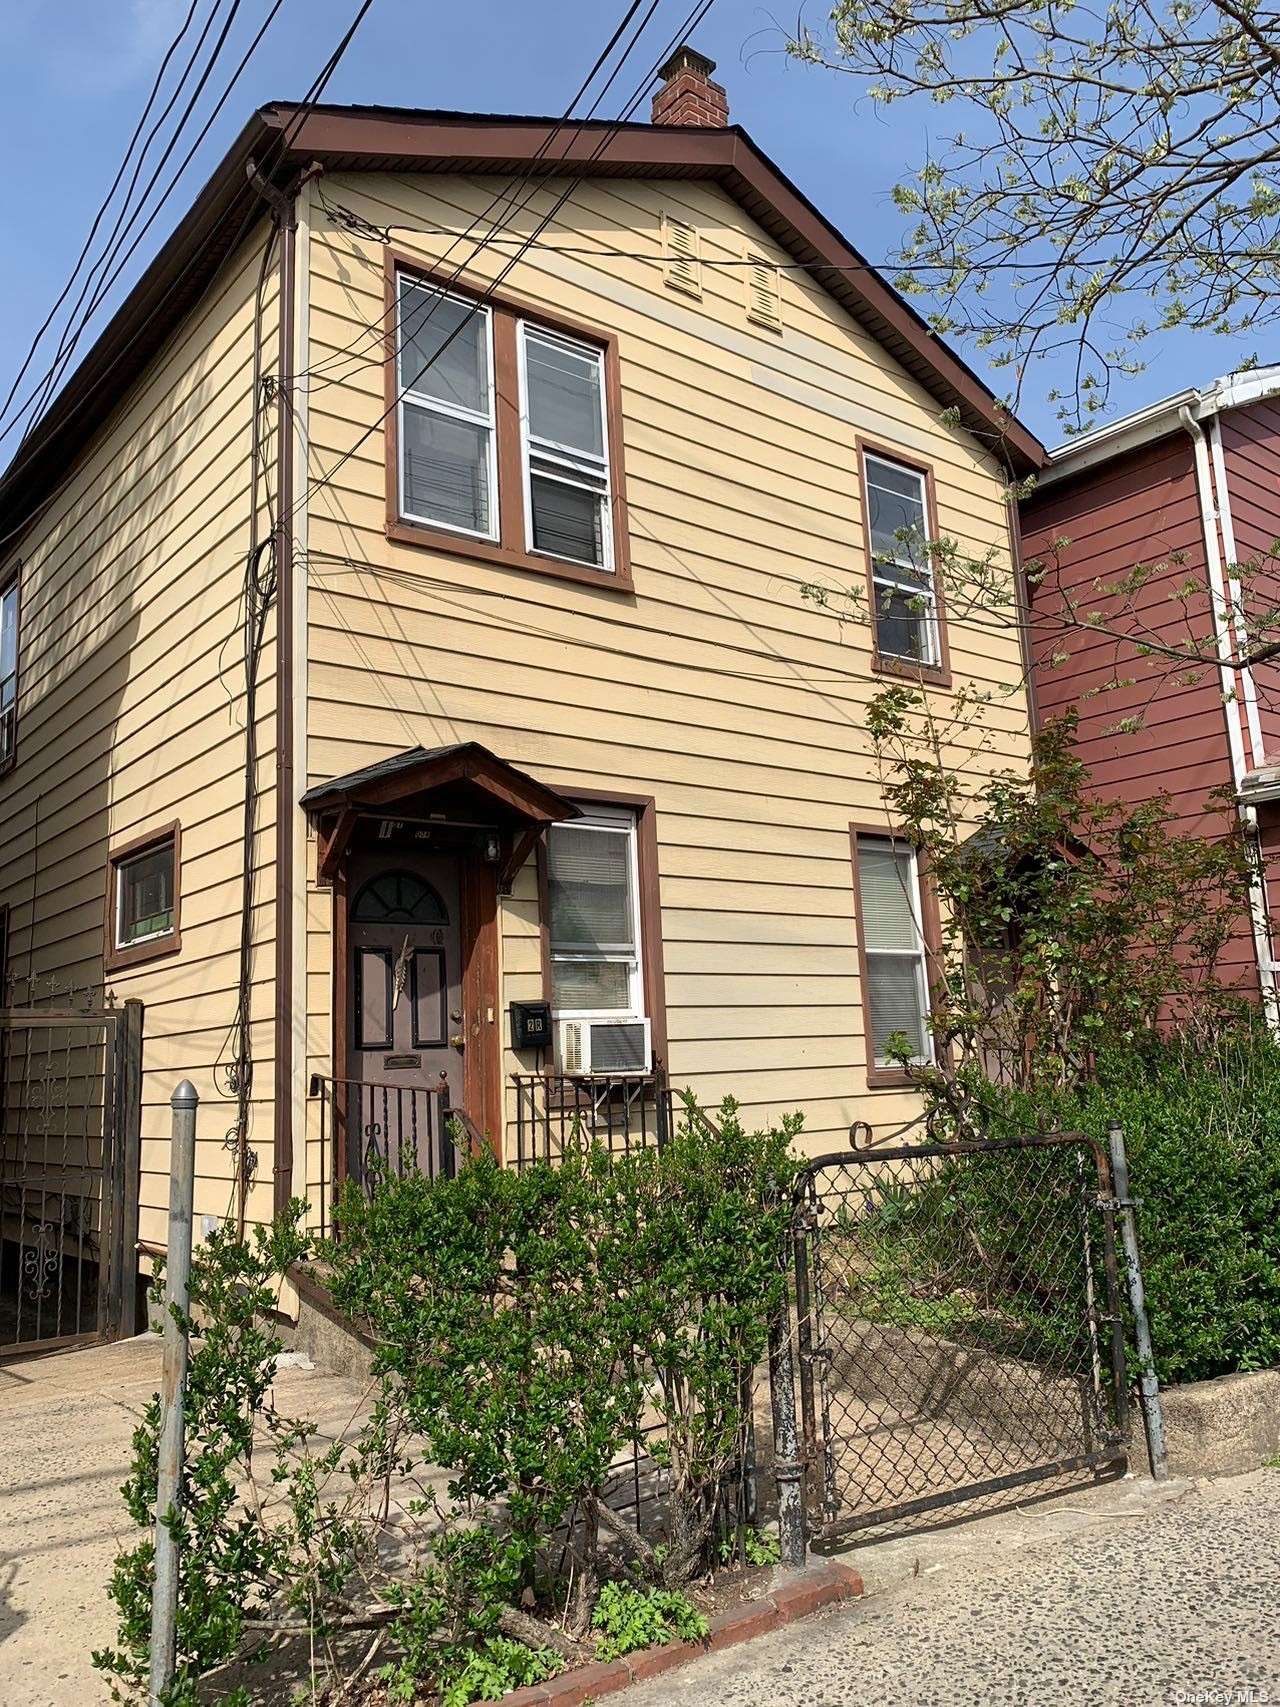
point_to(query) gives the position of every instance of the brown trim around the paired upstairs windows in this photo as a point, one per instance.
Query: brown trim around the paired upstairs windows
(509, 549)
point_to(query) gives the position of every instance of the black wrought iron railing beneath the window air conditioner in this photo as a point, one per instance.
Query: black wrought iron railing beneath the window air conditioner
(559, 1112)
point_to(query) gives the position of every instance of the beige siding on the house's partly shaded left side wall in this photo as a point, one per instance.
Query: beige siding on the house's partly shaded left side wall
(132, 716)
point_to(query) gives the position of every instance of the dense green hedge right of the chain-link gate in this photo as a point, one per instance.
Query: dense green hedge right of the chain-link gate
(1202, 1133)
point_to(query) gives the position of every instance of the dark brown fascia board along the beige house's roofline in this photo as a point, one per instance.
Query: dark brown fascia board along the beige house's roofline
(402, 139)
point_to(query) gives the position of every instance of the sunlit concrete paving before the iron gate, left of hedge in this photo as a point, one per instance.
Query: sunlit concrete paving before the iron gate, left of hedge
(66, 1431)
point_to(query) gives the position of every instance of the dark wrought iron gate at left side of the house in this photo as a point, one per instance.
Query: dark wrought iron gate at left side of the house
(71, 1093)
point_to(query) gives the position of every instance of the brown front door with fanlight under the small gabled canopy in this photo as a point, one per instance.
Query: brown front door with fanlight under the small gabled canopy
(405, 1011)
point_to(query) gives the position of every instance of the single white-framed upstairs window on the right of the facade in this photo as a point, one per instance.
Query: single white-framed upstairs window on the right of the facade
(904, 593)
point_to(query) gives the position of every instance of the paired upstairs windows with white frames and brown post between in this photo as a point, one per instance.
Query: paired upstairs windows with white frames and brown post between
(506, 434)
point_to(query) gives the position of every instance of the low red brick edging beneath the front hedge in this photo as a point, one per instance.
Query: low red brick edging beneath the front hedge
(796, 1599)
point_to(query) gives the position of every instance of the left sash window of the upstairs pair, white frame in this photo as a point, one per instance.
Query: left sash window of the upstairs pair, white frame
(446, 431)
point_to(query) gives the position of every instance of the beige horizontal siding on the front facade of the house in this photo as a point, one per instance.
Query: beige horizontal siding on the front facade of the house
(718, 687)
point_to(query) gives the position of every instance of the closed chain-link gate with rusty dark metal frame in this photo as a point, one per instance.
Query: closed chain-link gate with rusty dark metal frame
(958, 1325)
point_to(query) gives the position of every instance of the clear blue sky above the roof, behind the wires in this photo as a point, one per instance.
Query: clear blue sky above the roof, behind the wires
(74, 76)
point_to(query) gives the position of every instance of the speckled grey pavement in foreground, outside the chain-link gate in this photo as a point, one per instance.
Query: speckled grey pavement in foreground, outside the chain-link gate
(1127, 1595)
